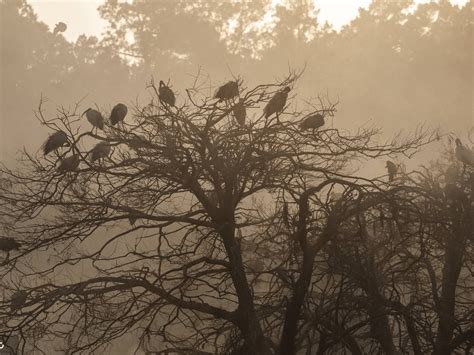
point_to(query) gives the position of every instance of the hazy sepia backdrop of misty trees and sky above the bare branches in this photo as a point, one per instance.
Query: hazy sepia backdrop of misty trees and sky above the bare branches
(394, 63)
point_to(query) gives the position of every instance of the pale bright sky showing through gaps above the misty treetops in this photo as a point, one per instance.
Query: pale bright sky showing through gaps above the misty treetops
(82, 16)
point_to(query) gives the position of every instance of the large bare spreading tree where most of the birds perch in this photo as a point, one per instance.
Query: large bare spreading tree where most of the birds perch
(191, 231)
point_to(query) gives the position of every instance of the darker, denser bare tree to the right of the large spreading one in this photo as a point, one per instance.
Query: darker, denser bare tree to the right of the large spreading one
(397, 277)
